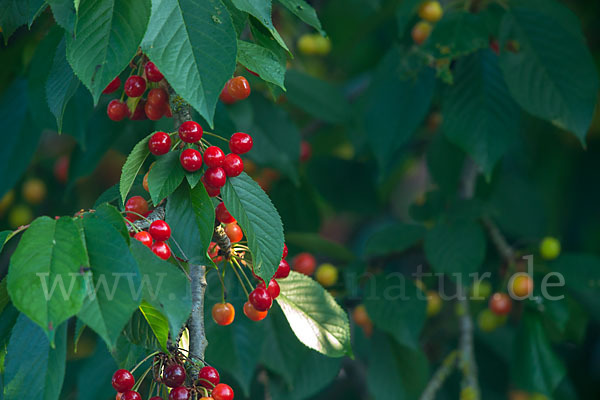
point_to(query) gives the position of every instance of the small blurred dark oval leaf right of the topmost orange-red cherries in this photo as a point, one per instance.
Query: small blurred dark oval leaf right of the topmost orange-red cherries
(317, 97)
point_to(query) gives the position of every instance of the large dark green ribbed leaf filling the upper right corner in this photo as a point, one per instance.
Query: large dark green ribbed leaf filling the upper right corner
(552, 75)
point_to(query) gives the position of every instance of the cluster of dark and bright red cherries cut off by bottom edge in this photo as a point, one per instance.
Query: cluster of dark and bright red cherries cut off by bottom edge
(173, 376)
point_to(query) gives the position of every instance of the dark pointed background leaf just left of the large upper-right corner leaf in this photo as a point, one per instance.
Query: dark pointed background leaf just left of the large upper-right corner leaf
(471, 107)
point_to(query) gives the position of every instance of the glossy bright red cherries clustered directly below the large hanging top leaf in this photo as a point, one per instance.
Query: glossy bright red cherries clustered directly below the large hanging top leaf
(219, 165)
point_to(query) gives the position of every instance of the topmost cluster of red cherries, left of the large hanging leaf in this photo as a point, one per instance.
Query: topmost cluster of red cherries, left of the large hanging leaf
(154, 106)
